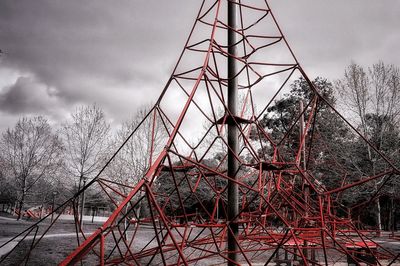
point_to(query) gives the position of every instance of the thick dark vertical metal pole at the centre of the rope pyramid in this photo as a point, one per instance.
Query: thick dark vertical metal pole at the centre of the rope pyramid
(233, 164)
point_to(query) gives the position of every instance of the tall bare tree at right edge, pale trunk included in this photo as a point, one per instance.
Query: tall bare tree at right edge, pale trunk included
(373, 97)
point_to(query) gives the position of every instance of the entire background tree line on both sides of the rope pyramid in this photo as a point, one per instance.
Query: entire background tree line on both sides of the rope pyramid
(38, 161)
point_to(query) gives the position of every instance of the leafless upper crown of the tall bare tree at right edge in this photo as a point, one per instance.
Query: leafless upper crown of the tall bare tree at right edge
(375, 92)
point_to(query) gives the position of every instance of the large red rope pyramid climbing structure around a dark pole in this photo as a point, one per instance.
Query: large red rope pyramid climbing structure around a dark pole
(231, 181)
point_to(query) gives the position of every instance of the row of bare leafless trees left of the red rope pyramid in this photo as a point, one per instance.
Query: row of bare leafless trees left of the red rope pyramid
(39, 163)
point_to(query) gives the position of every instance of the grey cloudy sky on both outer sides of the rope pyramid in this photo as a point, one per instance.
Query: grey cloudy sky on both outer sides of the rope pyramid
(59, 54)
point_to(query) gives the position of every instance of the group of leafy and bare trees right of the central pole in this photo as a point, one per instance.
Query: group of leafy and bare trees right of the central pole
(369, 98)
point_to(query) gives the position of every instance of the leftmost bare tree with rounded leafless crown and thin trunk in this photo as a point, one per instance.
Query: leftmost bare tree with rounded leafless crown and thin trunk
(30, 152)
